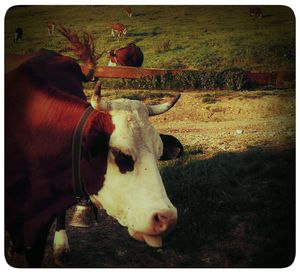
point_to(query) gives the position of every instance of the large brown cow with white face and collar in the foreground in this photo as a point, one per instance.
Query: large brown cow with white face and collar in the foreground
(59, 147)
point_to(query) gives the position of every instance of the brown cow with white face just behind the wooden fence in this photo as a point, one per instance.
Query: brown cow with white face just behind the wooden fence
(131, 56)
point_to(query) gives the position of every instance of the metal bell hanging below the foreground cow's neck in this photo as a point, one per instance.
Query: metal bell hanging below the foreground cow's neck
(84, 214)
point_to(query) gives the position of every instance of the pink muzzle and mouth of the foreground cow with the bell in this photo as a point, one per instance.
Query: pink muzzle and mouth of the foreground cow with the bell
(161, 223)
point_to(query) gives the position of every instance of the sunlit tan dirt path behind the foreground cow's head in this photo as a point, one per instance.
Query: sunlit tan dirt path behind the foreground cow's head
(234, 121)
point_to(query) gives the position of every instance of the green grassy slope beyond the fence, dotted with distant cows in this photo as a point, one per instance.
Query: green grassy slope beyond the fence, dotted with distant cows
(233, 38)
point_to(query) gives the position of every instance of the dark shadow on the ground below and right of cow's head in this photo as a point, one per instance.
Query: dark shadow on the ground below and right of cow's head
(235, 210)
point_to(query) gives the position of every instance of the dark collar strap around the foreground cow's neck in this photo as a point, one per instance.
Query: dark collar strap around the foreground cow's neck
(78, 185)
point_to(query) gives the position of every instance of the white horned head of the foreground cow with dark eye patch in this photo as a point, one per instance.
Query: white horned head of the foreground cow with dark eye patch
(133, 191)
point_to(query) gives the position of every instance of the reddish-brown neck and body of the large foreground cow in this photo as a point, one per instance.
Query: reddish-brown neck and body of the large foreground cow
(41, 116)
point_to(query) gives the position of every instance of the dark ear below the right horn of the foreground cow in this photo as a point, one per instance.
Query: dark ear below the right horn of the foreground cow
(172, 147)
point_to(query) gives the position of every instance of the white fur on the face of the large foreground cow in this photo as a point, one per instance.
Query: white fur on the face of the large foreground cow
(133, 197)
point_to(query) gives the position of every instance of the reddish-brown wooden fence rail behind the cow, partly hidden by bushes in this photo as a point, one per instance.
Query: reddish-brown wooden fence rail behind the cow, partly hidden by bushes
(278, 79)
